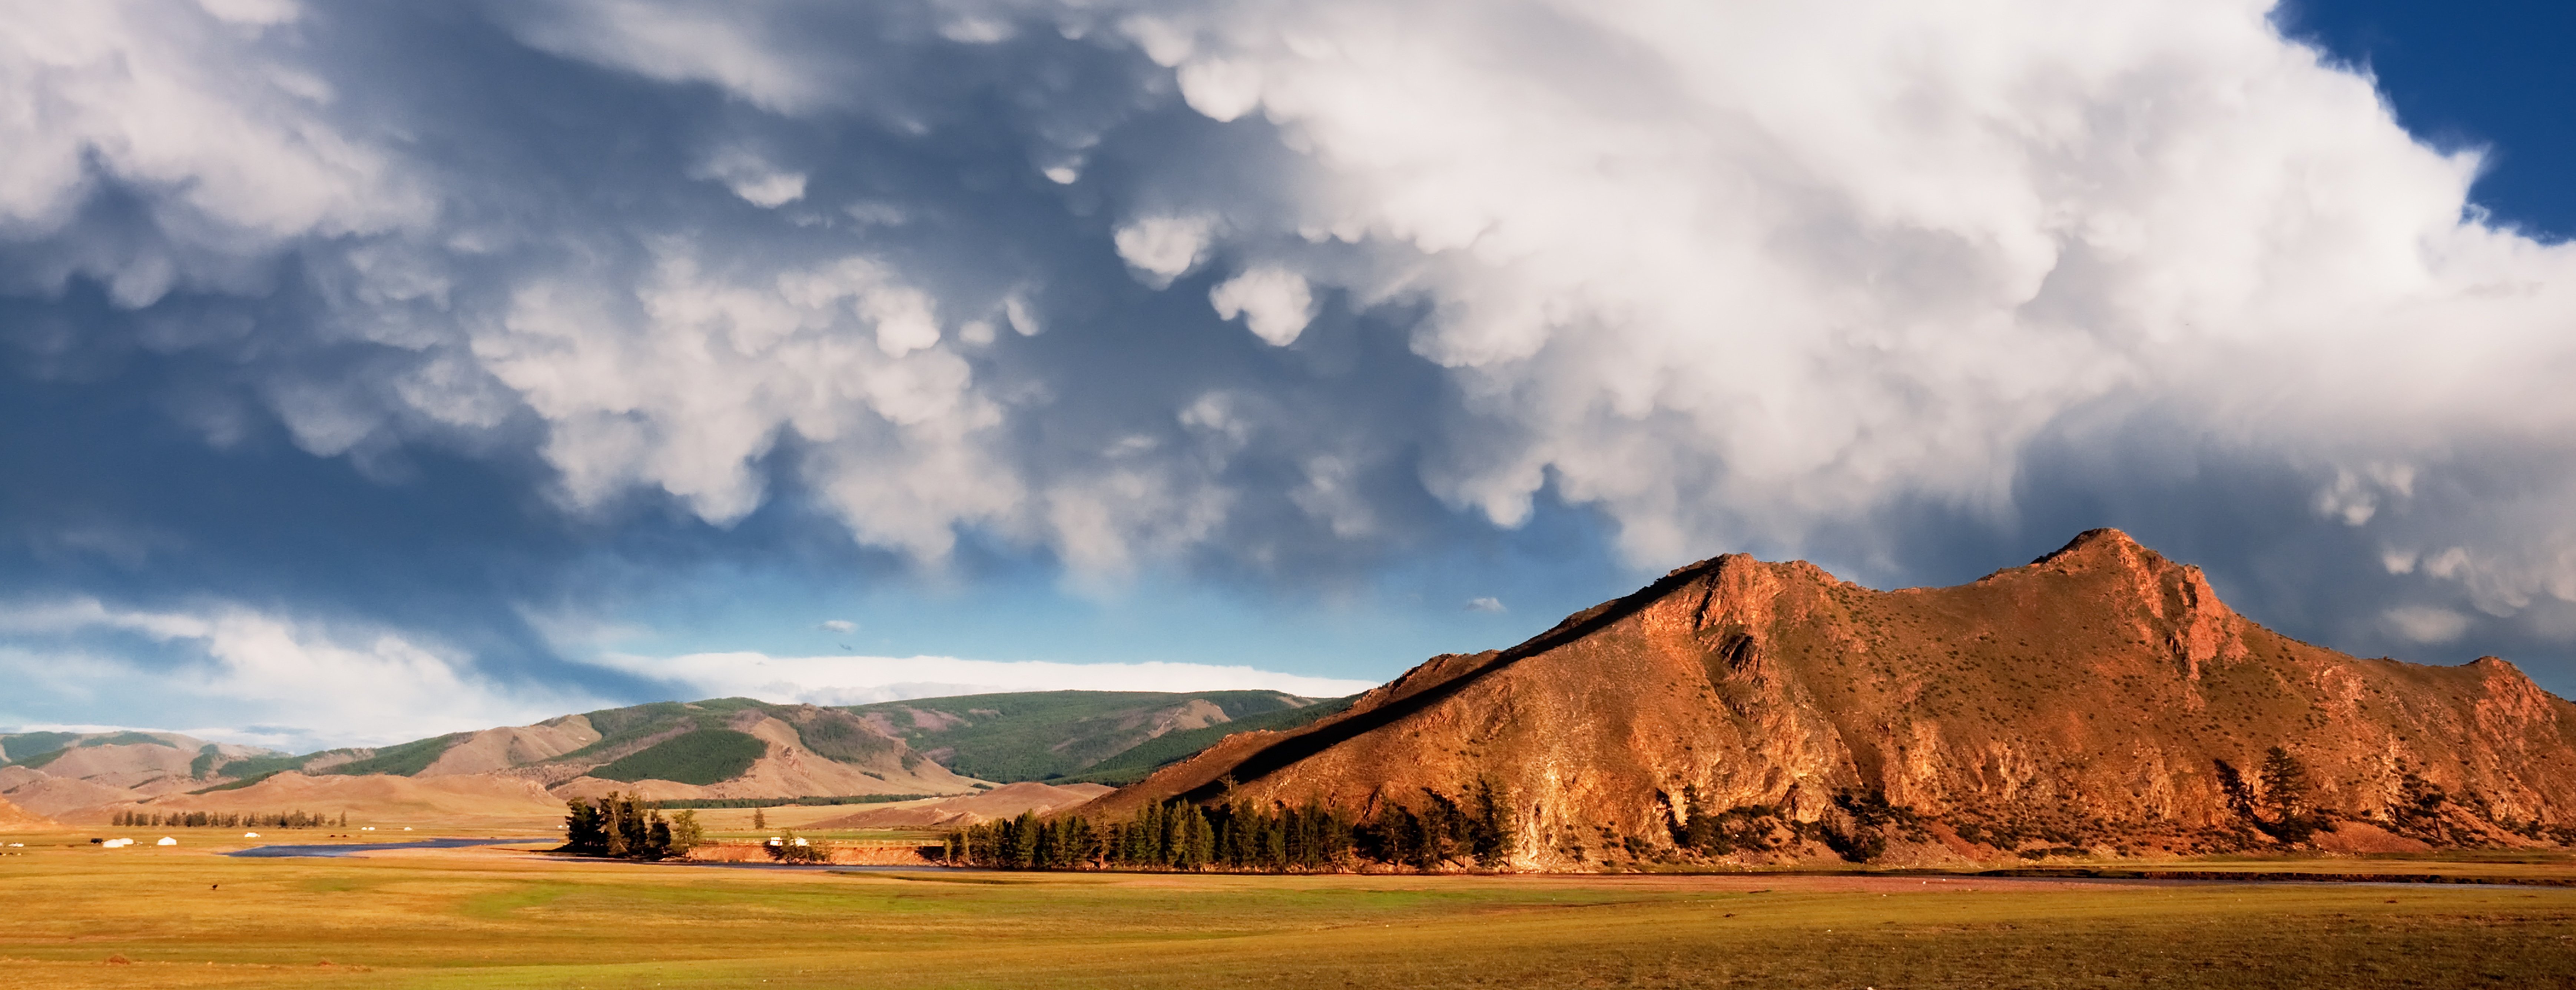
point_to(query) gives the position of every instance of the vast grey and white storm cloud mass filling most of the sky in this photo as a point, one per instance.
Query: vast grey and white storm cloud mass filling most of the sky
(1292, 290)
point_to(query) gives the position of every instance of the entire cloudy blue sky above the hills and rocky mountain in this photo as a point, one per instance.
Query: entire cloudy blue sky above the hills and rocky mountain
(383, 370)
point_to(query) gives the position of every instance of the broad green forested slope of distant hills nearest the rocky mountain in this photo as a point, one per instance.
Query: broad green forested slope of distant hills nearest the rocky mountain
(1039, 736)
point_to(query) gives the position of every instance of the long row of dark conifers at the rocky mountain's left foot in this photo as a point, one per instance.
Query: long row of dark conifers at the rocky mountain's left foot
(1248, 837)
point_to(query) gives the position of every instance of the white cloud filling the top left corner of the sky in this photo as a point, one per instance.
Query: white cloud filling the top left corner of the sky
(223, 125)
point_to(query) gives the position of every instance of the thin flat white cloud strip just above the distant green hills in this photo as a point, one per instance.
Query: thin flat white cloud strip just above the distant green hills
(893, 679)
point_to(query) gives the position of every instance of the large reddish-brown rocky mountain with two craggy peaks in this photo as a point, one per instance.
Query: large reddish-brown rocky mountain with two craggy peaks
(2101, 697)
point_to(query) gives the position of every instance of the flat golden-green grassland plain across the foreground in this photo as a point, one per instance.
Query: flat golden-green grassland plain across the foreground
(511, 919)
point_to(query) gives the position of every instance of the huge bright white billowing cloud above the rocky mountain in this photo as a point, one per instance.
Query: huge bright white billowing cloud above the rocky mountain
(1740, 275)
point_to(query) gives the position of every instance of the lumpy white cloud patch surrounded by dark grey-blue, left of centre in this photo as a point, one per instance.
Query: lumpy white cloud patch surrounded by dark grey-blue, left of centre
(720, 365)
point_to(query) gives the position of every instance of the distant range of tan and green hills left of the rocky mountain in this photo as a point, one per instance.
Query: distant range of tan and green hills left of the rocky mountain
(720, 749)
